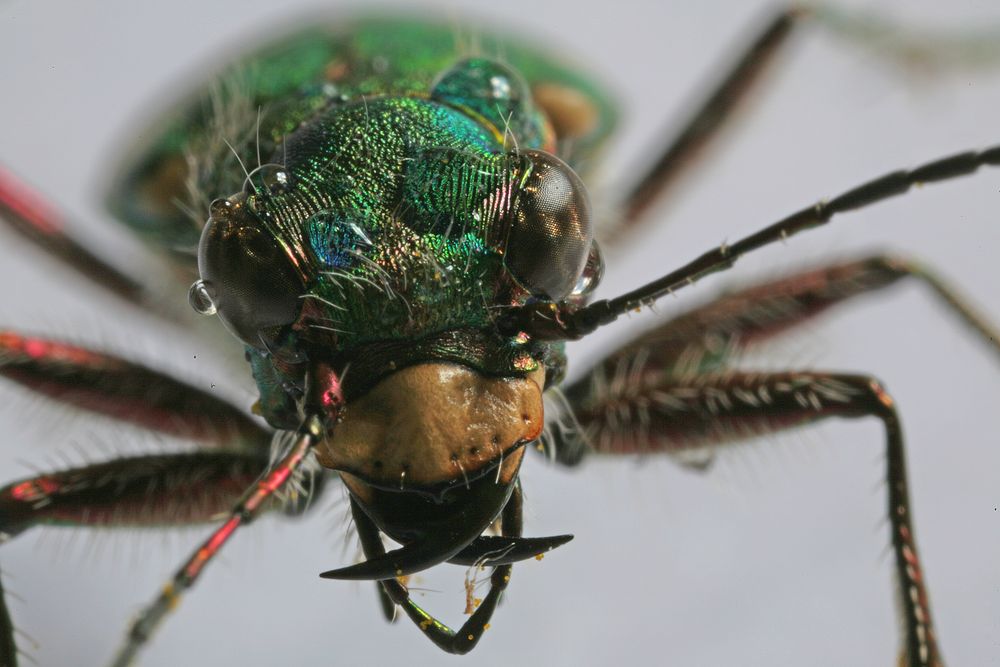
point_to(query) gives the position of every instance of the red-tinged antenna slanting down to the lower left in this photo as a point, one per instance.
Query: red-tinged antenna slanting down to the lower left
(249, 506)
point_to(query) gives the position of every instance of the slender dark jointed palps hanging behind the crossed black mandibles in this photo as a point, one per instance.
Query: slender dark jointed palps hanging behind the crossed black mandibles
(466, 638)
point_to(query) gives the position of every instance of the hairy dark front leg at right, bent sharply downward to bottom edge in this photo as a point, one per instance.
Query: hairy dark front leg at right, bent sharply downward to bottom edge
(663, 414)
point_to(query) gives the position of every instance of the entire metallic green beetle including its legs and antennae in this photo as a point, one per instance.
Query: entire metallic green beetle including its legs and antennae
(402, 241)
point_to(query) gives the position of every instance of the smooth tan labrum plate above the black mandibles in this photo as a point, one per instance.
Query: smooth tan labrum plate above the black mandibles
(436, 422)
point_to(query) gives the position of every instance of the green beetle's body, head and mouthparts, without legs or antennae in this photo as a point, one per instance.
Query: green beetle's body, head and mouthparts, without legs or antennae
(402, 203)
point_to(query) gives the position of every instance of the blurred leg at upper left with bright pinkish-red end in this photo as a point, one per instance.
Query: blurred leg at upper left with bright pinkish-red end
(29, 215)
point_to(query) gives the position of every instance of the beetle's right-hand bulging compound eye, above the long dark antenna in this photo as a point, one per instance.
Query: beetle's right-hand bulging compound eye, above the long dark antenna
(550, 233)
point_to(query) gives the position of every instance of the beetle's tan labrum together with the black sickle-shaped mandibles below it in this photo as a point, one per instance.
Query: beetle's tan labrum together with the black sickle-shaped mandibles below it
(431, 454)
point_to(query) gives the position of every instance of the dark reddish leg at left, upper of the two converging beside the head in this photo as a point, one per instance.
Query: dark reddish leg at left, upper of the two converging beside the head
(126, 391)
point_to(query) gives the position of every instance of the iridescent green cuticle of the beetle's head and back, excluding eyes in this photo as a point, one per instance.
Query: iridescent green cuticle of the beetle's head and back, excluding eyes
(398, 162)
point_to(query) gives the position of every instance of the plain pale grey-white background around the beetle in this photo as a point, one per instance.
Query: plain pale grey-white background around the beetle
(772, 559)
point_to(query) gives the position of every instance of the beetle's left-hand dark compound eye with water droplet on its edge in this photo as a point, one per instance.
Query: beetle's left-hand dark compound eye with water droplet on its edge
(247, 276)
